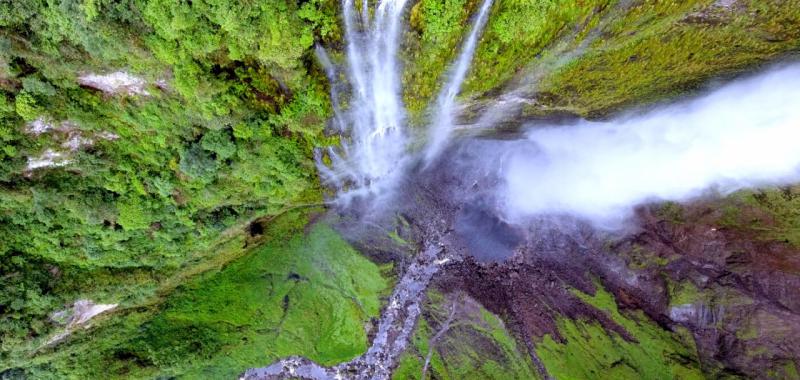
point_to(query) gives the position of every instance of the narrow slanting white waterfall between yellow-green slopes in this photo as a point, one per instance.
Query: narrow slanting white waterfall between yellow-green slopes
(446, 102)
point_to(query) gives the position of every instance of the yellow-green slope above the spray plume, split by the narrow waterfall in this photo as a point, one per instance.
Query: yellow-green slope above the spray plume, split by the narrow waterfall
(595, 57)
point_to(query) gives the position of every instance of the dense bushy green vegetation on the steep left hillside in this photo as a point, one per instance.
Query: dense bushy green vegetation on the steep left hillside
(227, 137)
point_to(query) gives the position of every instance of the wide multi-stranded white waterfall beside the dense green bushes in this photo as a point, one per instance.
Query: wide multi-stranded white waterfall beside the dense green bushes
(372, 152)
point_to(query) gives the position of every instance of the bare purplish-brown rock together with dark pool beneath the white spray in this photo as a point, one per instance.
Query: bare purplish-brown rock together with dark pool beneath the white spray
(732, 290)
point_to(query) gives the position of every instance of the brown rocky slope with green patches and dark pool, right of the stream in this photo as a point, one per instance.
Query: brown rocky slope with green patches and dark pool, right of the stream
(696, 290)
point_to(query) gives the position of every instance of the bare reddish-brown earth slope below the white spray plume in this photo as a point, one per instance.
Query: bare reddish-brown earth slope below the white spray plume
(745, 321)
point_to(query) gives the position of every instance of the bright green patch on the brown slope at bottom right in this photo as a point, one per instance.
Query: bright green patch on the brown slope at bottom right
(589, 351)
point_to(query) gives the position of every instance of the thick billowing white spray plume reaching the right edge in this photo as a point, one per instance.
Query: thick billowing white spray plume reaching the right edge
(745, 134)
